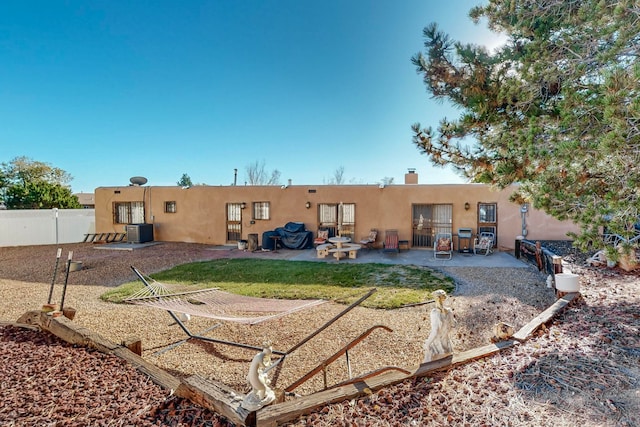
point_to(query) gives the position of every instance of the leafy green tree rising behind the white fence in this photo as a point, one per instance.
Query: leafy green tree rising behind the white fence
(29, 184)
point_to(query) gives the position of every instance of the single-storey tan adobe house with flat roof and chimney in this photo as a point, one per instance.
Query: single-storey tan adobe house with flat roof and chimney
(219, 215)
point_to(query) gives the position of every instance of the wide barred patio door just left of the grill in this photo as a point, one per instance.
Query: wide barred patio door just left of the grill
(429, 220)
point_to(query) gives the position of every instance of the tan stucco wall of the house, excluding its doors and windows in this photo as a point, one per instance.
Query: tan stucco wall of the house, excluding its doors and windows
(201, 213)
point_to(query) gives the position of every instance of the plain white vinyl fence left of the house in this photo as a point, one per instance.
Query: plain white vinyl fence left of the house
(45, 226)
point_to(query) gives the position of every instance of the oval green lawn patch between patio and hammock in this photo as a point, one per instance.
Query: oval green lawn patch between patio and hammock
(396, 285)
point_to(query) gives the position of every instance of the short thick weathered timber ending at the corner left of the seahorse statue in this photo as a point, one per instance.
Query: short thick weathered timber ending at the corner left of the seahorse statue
(218, 398)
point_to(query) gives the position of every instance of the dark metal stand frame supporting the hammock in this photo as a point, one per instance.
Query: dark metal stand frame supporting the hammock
(201, 337)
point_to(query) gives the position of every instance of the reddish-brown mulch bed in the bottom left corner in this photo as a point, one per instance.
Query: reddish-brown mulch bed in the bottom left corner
(80, 386)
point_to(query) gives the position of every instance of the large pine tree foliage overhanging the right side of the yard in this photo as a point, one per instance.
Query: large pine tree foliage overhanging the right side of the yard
(555, 110)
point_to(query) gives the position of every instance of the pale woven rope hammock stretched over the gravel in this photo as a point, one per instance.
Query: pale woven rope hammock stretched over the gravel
(216, 304)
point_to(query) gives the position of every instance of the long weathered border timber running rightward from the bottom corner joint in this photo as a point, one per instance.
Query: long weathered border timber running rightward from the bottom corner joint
(291, 410)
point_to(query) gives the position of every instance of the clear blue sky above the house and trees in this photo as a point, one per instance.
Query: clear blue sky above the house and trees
(107, 90)
